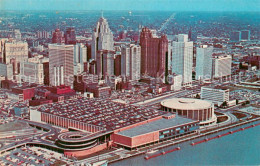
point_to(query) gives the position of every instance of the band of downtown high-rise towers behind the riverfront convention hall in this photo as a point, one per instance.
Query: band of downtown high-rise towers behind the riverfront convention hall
(171, 60)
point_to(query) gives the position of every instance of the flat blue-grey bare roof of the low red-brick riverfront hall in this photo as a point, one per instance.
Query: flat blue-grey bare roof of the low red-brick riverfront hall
(159, 124)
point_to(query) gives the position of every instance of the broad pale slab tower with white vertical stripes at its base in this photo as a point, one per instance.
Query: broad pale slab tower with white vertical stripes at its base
(61, 69)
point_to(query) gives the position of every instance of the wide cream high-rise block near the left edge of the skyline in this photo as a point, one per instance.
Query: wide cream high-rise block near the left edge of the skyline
(15, 53)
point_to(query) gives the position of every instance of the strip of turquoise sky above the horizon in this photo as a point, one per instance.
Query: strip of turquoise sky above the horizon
(158, 5)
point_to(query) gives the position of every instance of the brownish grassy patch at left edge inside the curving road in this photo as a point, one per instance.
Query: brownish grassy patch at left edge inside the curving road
(12, 126)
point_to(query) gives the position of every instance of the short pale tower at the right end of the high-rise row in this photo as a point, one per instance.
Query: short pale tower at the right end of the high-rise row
(221, 66)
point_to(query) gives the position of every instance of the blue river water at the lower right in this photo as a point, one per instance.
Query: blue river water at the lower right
(241, 148)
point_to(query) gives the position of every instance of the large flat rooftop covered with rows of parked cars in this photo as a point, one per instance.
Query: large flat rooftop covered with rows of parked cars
(100, 112)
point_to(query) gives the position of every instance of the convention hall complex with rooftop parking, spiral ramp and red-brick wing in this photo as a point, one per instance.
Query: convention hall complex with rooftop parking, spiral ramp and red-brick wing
(101, 124)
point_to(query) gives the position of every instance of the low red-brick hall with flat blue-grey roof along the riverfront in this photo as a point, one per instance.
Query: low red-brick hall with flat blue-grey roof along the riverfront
(168, 126)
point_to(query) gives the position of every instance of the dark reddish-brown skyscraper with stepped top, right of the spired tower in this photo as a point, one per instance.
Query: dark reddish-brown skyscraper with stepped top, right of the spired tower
(153, 51)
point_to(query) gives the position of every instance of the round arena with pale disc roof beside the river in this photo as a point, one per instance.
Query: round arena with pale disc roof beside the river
(195, 109)
